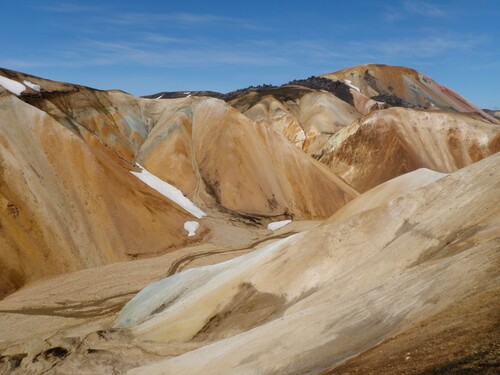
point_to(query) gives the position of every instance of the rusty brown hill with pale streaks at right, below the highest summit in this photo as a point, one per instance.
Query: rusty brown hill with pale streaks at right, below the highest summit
(391, 142)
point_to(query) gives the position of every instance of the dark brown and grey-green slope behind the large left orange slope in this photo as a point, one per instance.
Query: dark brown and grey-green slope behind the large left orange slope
(94, 115)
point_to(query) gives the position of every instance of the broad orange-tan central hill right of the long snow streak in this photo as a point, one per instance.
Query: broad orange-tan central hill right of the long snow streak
(226, 160)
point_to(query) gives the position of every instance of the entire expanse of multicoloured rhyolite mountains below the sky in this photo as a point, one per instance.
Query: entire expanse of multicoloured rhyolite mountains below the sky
(134, 232)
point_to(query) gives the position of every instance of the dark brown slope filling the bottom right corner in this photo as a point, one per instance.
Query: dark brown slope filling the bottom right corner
(463, 339)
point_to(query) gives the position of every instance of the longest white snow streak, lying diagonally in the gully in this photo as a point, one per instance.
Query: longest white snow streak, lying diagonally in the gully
(169, 191)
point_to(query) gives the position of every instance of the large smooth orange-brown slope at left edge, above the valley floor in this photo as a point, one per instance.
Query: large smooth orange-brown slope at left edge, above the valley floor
(66, 204)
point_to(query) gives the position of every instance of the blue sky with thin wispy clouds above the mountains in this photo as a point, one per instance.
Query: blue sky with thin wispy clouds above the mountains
(144, 47)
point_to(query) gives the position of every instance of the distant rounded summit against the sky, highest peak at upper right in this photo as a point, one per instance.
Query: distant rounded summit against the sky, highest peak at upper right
(412, 86)
